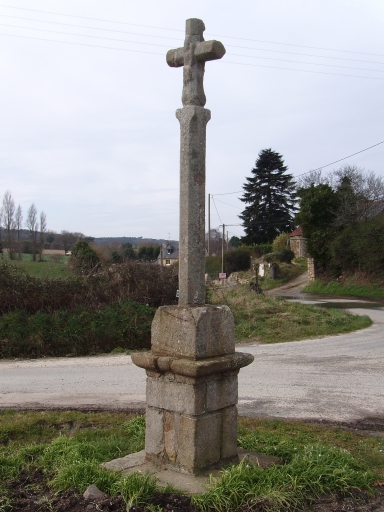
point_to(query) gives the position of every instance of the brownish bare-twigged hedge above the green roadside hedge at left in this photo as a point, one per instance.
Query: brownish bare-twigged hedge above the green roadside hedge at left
(142, 283)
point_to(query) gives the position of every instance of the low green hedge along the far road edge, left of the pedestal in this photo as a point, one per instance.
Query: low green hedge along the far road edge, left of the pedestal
(77, 332)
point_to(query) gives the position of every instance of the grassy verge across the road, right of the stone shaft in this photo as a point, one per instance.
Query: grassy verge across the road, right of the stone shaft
(273, 320)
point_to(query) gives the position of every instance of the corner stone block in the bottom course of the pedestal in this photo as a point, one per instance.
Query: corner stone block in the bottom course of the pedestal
(199, 442)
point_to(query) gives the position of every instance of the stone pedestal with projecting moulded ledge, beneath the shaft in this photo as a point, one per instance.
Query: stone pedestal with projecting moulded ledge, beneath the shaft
(191, 416)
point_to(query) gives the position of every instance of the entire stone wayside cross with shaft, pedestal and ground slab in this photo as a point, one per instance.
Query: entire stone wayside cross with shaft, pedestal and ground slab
(192, 368)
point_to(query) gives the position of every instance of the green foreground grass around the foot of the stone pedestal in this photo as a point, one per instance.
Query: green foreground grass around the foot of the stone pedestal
(69, 446)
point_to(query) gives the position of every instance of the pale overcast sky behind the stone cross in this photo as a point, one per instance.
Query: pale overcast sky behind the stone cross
(88, 129)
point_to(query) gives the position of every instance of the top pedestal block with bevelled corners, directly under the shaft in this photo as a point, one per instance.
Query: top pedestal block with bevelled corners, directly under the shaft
(194, 332)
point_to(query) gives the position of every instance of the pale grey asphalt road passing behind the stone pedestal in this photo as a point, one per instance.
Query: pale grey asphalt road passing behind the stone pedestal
(337, 378)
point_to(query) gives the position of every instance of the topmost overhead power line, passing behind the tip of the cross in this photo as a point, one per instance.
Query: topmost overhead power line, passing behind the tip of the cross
(178, 30)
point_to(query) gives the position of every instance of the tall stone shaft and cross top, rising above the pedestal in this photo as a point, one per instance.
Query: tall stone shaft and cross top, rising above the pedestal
(193, 119)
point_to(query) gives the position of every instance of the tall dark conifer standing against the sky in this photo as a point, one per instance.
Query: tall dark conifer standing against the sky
(270, 196)
